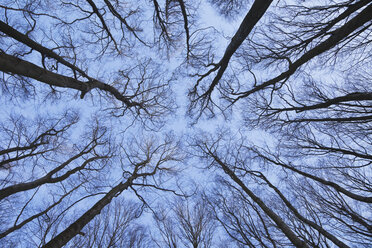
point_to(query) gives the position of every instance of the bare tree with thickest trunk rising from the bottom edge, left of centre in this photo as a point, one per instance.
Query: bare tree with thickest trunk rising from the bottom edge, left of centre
(145, 161)
